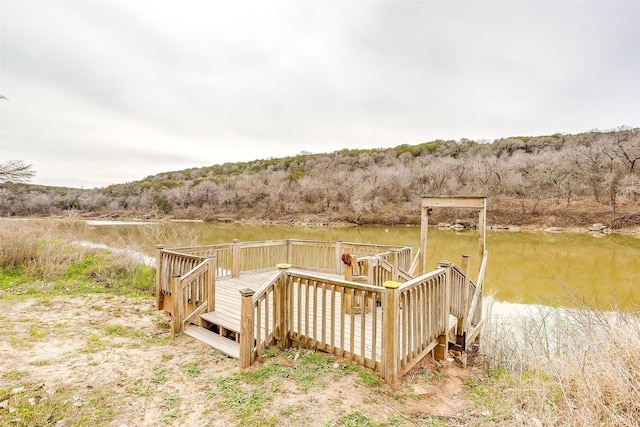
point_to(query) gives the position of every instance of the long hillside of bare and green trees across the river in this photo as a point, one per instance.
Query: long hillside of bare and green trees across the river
(551, 180)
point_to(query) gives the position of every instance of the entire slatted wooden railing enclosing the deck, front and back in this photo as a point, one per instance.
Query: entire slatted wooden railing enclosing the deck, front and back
(387, 325)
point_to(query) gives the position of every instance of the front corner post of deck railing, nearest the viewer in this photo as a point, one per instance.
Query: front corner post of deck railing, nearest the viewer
(391, 328)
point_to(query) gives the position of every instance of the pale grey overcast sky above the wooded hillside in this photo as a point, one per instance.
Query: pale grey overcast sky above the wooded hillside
(105, 92)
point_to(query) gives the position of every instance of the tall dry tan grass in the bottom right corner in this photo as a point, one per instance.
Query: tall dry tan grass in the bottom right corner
(575, 367)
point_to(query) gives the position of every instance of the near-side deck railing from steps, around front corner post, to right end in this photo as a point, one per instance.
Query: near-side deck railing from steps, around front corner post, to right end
(396, 326)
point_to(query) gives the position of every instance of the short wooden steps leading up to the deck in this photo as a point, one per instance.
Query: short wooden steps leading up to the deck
(223, 333)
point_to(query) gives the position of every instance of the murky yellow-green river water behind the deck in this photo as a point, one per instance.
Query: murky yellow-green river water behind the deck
(523, 267)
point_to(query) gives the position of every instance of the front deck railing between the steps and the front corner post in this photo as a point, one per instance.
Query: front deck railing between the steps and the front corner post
(302, 308)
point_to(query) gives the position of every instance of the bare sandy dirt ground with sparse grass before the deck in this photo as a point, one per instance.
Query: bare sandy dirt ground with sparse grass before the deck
(108, 360)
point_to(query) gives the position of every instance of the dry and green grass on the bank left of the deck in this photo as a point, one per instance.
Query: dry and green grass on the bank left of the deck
(42, 258)
